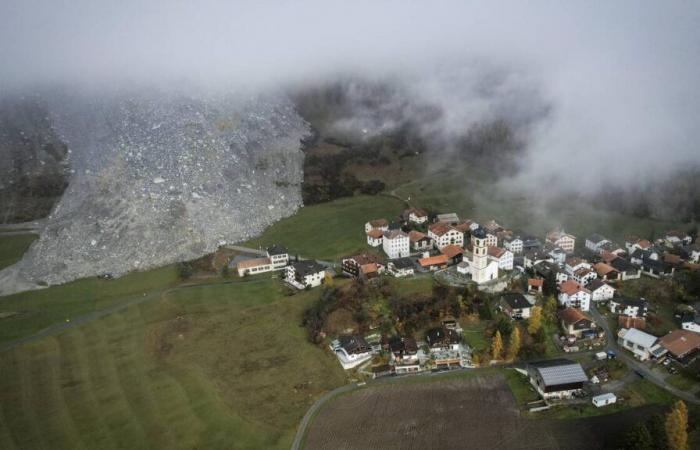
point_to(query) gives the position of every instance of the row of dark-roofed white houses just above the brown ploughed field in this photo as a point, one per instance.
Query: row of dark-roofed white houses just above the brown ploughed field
(441, 349)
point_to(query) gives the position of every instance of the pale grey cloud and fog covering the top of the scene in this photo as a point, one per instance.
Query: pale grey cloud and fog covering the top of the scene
(621, 78)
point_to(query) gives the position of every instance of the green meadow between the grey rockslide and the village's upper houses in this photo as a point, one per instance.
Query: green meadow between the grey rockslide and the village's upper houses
(329, 231)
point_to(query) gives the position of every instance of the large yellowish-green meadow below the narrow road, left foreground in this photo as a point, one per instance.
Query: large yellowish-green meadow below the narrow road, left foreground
(219, 366)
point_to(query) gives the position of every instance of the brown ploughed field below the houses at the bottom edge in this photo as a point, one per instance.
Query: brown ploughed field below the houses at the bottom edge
(469, 412)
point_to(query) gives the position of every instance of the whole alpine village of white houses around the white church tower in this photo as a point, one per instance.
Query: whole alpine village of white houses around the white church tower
(596, 327)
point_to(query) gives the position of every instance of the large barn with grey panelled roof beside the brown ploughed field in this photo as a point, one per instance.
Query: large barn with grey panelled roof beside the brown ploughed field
(557, 378)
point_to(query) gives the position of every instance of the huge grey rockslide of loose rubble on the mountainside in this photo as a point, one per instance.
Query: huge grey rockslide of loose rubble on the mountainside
(162, 177)
